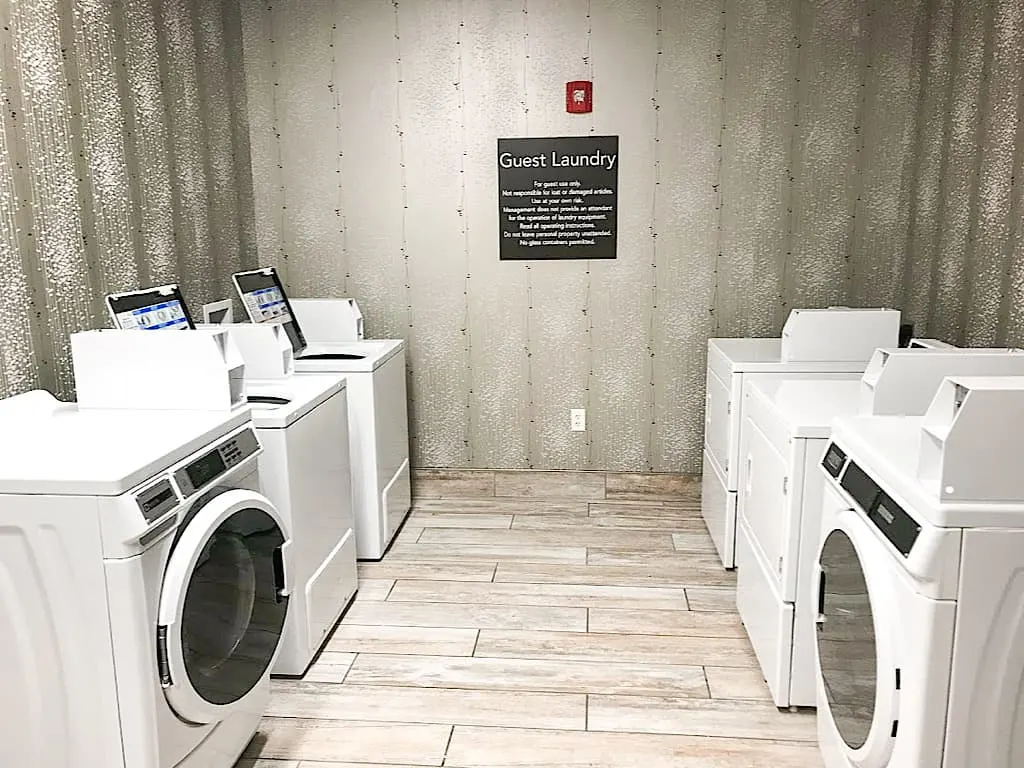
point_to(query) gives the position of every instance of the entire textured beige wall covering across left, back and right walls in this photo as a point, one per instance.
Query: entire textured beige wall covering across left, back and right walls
(774, 154)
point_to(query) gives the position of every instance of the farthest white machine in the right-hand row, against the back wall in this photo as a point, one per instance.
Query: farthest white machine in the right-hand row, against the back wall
(823, 344)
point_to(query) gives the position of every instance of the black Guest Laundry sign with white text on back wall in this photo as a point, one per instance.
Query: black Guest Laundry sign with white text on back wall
(559, 198)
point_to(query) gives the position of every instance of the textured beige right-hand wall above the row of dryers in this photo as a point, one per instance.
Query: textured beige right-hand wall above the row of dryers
(966, 262)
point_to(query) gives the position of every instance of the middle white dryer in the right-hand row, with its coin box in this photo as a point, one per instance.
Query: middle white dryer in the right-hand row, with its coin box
(788, 424)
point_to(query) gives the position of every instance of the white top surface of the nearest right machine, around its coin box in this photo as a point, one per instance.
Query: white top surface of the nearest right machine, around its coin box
(887, 450)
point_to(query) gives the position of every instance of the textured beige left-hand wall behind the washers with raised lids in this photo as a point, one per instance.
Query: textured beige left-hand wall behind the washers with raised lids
(124, 162)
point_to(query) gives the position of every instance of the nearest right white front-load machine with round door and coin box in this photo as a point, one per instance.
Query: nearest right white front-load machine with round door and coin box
(920, 585)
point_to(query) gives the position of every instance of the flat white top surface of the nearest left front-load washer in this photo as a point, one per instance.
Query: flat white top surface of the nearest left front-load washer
(93, 452)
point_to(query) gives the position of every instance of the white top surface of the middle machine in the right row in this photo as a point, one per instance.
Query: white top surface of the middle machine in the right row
(808, 407)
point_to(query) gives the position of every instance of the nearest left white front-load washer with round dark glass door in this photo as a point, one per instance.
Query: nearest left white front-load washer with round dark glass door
(144, 587)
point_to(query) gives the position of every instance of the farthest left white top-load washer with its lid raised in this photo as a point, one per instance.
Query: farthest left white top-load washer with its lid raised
(378, 417)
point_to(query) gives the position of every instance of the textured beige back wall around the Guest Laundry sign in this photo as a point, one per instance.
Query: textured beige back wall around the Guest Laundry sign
(767, 162)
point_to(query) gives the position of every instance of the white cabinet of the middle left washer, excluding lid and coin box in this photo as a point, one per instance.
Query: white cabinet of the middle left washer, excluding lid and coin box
(303, 423)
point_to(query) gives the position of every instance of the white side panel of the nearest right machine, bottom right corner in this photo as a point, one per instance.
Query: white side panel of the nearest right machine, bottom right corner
(987, 704)
